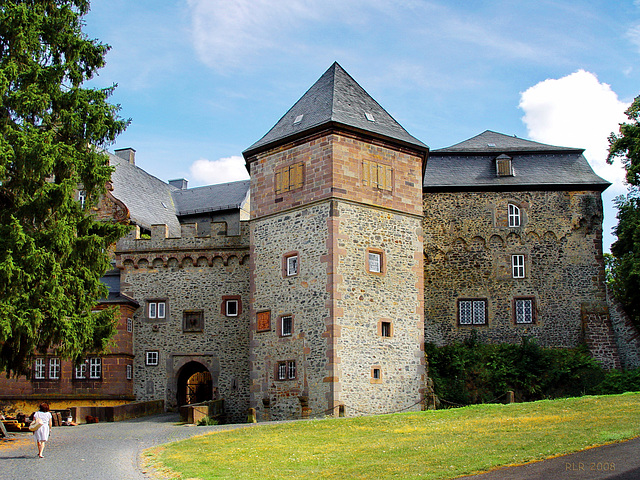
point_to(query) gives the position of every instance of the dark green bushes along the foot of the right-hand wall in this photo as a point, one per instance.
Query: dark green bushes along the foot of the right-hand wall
(473, 372)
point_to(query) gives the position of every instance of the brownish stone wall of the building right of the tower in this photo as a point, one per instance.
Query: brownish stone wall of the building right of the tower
(468, 247)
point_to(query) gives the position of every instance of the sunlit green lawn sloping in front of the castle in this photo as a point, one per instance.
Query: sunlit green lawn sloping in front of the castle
(433, 444)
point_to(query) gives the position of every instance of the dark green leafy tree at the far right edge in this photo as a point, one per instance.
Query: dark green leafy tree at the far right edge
(625, 267)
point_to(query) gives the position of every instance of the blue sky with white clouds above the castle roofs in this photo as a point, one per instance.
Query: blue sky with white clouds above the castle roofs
(202, 80)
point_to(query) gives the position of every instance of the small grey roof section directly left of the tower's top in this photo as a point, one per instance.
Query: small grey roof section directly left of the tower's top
(225, 196)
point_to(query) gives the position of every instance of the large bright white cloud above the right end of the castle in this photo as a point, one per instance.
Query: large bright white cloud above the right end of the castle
(579, 111)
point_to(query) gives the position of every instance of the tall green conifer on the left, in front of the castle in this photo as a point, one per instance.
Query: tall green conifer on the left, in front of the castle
(52, 250)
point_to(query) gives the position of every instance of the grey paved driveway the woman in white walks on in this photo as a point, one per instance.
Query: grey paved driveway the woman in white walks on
(103, 451)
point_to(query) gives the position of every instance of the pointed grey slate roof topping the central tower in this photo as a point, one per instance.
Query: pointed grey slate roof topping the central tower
(335, 99)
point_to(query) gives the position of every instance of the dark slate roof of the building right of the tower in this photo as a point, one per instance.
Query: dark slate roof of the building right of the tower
(470, 166)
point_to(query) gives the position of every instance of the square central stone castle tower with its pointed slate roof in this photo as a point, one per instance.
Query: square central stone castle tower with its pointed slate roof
(337, 319)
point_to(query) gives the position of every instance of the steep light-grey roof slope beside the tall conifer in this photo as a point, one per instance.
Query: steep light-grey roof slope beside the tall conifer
(148, 198)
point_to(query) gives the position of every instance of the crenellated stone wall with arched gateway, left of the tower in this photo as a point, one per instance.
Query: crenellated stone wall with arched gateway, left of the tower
(190, 274)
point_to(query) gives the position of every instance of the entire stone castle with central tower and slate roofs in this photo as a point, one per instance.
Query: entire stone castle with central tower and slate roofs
(311, 288)
